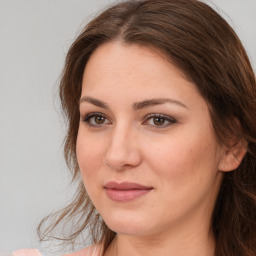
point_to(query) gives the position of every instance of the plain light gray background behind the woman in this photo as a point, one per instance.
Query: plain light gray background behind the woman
(34, 38)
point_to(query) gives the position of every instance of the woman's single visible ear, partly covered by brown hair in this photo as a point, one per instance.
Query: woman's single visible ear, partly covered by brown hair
(233, 155)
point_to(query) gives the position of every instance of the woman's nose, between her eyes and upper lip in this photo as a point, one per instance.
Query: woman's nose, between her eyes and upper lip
(123, 150)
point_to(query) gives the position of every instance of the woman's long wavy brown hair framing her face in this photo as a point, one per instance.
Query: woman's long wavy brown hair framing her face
(198, 41)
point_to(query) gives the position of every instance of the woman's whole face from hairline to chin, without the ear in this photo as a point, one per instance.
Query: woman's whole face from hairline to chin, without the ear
(146, 148)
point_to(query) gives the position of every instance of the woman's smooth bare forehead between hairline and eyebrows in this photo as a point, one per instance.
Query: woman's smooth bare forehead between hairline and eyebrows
(135, 72)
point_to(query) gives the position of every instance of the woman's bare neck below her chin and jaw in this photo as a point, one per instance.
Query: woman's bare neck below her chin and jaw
(192, 241)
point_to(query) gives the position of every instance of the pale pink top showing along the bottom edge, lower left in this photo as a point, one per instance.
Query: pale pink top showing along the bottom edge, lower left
(94, 250)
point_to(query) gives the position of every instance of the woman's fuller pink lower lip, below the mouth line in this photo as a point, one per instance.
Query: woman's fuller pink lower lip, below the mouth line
(125, 195)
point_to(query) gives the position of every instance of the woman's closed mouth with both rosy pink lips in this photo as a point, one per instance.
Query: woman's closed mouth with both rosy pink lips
(125, 191)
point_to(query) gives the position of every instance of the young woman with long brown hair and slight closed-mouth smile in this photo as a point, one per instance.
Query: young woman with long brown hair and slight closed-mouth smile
(161, 100)
